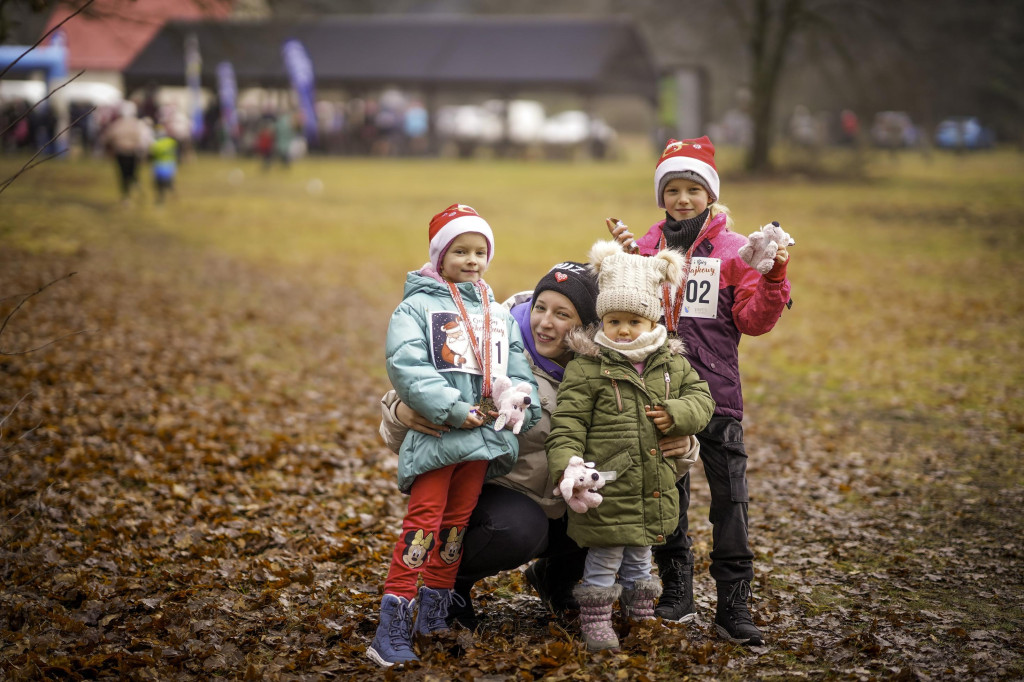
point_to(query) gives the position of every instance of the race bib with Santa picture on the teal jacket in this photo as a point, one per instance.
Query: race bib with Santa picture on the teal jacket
(451, 350)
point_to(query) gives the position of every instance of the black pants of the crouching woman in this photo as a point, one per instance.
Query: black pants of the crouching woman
(508, 530)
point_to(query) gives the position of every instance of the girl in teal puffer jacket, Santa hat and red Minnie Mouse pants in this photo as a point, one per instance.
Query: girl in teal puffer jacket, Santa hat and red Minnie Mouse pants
(446, 344)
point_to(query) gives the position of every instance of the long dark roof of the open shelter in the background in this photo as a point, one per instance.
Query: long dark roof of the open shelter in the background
(507, 55)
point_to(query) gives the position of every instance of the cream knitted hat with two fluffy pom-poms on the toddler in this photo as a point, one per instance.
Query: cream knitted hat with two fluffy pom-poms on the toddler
(631, 283)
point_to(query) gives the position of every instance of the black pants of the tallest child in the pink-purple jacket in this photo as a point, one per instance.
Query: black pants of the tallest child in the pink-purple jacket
(724, 461)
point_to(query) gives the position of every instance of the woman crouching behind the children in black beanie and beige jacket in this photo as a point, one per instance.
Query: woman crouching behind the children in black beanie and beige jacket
(518, 518)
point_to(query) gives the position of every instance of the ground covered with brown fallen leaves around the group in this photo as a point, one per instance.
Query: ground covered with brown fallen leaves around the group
(194, 489)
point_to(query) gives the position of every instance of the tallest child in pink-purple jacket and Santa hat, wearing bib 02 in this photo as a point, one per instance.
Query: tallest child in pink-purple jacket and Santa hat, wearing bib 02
(722, 300)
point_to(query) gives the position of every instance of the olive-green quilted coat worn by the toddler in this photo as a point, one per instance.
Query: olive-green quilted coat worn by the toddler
(601, 417)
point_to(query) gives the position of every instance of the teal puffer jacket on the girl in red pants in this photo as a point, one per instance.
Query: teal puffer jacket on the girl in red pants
(447, 398)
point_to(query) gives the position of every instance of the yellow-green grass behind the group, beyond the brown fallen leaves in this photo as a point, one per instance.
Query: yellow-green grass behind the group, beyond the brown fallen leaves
(907, 283)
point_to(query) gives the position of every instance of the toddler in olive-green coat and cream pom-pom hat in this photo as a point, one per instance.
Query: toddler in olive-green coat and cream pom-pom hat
(629, 387)
